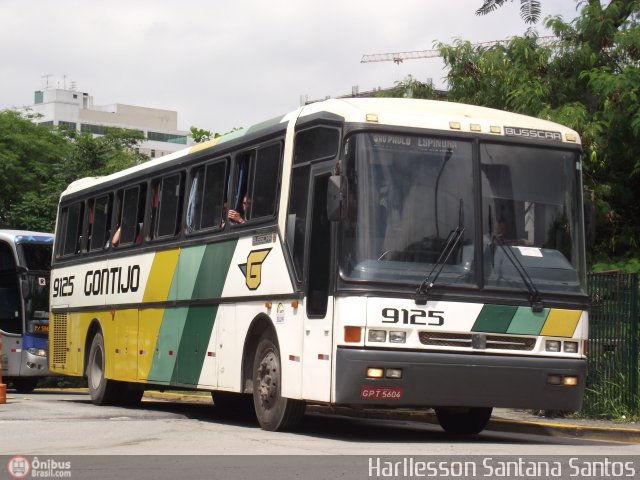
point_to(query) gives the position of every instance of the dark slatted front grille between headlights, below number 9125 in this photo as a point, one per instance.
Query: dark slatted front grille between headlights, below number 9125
(480, 341)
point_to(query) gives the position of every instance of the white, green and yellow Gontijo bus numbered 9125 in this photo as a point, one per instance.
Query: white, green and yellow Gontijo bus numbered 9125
(390, 253)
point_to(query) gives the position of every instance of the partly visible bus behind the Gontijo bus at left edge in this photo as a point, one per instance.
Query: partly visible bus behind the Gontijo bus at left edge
(25, 264)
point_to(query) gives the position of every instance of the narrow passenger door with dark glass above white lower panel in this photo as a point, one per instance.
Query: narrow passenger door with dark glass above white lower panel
(317, 342)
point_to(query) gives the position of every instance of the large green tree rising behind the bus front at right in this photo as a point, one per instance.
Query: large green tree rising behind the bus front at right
(589, 80)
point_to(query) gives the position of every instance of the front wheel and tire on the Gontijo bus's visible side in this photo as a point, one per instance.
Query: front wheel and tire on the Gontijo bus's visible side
(274, 412)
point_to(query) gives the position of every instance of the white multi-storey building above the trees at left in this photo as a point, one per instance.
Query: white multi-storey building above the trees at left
(73, 109)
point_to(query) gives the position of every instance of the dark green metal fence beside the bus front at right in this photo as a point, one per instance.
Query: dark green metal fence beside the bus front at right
(612, 350)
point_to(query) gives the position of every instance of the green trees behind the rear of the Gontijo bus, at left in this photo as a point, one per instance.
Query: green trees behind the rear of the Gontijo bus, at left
(37, 163)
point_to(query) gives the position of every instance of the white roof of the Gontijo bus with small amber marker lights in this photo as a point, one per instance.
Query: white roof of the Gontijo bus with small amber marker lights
(414, 113)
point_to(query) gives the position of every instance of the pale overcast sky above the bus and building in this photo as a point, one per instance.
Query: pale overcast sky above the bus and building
(225, 65)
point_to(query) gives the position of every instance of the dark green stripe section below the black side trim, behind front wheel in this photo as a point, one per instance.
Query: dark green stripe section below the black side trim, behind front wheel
(193, 345)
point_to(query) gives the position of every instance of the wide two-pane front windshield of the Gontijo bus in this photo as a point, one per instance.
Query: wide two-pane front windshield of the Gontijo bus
(409, 193)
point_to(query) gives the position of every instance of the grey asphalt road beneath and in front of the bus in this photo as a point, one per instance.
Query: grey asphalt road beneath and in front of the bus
(162, 435)
